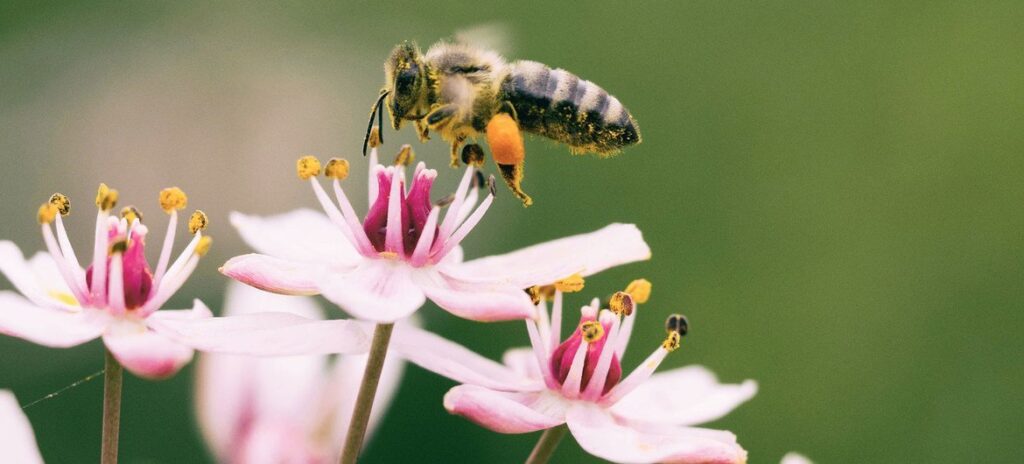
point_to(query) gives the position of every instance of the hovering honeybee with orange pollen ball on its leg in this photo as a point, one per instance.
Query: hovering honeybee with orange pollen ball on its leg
(461, 92)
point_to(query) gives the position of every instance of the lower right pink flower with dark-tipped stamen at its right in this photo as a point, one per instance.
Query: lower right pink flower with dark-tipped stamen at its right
(642, 418)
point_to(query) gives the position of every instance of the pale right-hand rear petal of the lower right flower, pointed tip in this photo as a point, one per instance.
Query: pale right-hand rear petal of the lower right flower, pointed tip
(684, 397)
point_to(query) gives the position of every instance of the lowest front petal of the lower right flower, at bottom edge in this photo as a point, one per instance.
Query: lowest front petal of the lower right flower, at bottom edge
(603, 436)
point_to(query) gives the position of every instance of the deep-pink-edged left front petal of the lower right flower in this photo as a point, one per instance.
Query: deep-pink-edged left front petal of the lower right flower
(506, 412)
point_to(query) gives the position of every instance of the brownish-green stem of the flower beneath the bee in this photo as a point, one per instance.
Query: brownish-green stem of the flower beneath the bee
(368, 391)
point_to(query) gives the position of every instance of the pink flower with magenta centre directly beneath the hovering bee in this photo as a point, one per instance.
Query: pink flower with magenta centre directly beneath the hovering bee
(385, 268)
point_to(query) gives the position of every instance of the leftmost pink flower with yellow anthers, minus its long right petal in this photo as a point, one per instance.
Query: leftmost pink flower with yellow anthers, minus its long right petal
(117, 297)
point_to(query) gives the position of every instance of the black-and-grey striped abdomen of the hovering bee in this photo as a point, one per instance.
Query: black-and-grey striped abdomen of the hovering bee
(560, 106)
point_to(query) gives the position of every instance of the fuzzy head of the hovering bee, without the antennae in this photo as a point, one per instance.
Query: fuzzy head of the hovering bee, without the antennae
(406, 75)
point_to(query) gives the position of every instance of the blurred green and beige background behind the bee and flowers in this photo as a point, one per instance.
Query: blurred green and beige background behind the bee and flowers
(833, 194)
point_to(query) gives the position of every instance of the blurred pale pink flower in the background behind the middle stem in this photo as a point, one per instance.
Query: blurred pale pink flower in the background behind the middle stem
(281, 410)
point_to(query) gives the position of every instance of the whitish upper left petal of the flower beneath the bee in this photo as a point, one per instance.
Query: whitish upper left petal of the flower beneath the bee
(303, 235)
